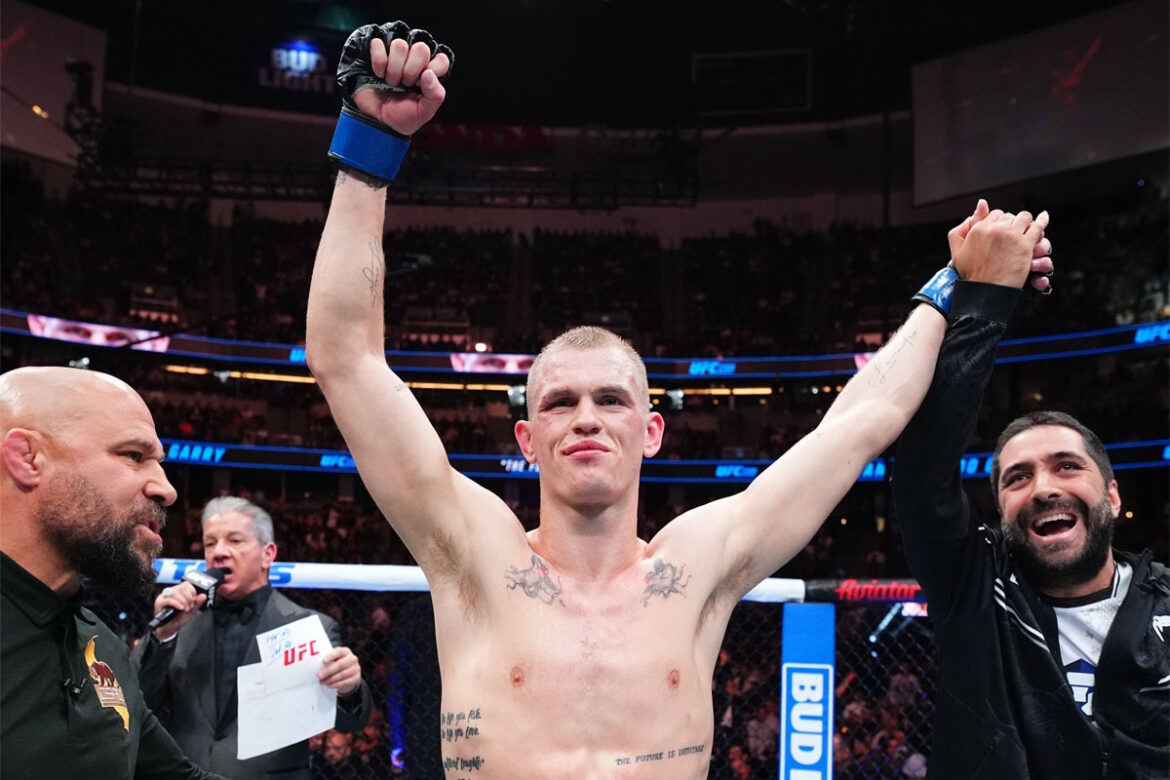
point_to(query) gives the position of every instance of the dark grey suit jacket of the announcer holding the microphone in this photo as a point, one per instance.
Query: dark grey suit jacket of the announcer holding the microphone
(180, 675)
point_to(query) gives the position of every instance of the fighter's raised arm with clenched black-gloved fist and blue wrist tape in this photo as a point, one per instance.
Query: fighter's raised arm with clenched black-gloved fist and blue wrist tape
(389, 77)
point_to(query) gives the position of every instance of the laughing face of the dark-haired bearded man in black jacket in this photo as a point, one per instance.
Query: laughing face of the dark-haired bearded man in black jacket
(1058, 514)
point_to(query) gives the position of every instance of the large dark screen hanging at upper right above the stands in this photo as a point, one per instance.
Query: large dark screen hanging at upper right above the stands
(1069, 96)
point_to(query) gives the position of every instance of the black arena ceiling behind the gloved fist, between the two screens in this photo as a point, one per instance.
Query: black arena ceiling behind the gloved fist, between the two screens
(582, 63)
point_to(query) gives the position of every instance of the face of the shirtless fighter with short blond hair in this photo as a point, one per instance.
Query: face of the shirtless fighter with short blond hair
(591, 426)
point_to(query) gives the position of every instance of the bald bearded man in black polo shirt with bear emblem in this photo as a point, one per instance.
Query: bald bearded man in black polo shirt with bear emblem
(82, 495)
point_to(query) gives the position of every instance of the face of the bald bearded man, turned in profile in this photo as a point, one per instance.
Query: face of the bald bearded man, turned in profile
(105, 509)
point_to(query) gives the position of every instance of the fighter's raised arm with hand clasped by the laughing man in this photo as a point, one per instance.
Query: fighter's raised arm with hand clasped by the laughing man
(767, 524)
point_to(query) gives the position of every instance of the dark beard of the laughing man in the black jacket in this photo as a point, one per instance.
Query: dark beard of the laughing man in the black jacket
(1082, 569)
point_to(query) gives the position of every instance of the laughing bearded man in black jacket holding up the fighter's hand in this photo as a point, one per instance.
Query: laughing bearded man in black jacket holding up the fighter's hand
(1054, 657)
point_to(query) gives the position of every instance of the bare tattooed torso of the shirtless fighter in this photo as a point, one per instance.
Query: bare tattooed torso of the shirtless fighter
(548, 677)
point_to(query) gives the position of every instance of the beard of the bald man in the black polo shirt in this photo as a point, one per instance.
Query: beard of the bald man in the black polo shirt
(98, 542)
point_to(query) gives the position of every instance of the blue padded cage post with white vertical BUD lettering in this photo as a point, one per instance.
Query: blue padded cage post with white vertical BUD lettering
(807, 693)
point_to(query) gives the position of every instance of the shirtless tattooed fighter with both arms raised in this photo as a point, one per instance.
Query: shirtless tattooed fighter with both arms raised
(580, 651)
